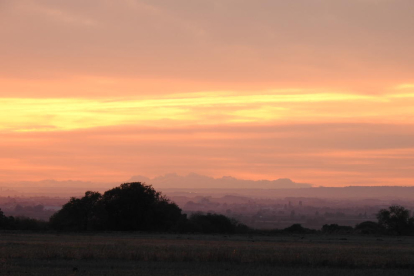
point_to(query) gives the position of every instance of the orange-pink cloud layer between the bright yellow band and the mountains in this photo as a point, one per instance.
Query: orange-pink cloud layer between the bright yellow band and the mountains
(322, 154)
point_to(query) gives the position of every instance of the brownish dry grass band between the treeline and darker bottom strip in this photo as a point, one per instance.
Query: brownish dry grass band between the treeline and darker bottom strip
(308, 251)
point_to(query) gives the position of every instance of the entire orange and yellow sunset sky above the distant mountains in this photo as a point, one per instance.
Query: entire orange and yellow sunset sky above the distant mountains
(318, 91)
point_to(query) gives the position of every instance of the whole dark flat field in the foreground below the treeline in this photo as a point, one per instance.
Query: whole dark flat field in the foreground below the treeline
(168, 254)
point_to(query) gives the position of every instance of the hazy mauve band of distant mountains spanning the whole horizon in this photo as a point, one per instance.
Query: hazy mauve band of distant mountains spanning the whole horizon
(174, 184)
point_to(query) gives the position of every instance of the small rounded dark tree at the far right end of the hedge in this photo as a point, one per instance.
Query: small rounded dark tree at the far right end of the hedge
(396, 220)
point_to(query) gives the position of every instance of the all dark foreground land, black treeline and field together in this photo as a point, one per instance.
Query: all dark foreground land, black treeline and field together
(132, 229)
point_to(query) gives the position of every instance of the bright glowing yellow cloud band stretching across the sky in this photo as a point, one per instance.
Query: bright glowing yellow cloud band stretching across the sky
(53, 114)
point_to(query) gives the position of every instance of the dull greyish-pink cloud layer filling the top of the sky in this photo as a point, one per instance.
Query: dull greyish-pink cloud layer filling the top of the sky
(279, 41)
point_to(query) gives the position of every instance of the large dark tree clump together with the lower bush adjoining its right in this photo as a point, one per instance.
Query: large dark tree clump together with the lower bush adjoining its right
(135, 207)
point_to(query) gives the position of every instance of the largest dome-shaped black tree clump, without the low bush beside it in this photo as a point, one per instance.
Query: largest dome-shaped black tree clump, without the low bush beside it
(129, 207)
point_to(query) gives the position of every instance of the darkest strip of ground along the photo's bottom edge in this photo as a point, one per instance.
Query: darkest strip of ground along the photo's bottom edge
(114, 268)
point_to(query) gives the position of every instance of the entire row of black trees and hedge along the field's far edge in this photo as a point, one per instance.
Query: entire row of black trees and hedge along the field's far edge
(138, 207)
